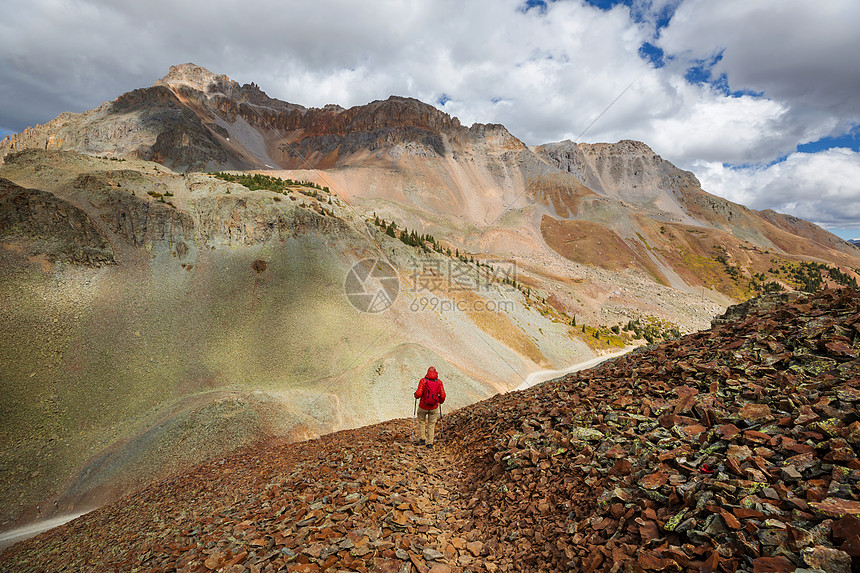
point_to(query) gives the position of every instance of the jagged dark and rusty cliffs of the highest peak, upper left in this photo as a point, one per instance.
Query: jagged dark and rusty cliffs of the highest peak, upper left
(194, 119)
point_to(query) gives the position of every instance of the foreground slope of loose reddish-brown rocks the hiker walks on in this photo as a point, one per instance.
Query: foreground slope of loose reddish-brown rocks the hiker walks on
(733, 449)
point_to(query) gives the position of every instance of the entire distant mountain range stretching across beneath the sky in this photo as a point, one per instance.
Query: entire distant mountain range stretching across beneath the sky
(403, 150)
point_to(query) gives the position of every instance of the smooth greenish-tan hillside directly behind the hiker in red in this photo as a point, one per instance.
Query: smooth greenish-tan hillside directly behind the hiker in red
(153, 320)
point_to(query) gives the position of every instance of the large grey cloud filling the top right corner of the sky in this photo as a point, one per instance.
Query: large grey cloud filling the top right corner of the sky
(796, 51)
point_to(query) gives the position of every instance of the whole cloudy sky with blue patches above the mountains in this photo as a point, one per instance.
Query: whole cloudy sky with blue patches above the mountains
(760, 99)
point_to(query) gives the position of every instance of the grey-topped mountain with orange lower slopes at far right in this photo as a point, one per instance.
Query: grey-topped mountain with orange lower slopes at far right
(664, 212)
